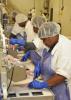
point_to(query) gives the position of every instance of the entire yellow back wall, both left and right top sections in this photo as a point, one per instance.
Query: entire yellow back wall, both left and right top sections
(64, 17)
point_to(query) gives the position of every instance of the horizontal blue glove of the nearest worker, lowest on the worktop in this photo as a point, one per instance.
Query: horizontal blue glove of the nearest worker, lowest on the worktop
(38, 85)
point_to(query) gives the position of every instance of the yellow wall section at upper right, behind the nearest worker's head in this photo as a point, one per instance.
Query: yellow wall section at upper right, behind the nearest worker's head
(64, 17)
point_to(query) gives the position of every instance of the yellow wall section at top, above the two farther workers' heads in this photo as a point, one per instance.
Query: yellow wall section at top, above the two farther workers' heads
(25, 5)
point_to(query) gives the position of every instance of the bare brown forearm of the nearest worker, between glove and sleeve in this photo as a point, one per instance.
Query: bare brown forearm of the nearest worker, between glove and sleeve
(55, 80)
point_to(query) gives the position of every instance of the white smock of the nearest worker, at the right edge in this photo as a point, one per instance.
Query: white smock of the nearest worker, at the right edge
(61, 59)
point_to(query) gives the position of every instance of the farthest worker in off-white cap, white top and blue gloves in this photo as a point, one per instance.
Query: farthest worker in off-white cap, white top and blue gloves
(18, 34)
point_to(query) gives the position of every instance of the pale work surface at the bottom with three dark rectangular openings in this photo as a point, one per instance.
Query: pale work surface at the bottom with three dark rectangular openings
(24, 93)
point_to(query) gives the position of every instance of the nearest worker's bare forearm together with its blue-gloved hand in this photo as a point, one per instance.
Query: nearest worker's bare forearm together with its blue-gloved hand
(53, 81)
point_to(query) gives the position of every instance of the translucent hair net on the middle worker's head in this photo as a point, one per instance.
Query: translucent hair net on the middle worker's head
(38, 21)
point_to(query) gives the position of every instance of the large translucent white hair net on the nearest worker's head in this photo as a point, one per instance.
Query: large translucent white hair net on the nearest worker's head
(49, 29)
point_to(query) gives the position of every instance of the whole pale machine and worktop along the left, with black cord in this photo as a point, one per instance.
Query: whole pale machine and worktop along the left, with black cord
(20, 91)
